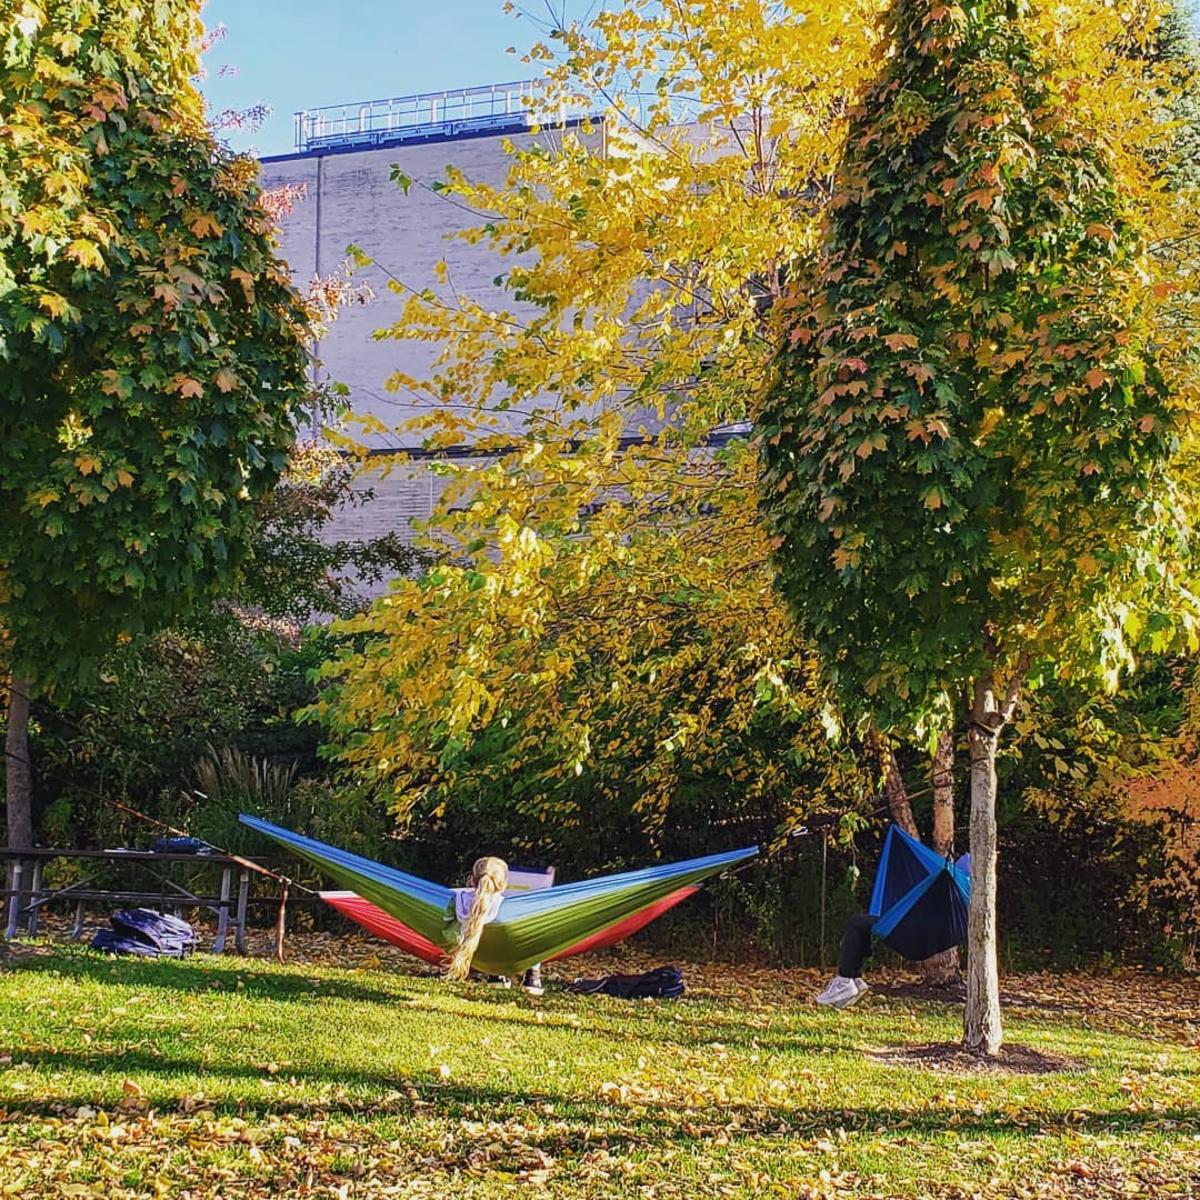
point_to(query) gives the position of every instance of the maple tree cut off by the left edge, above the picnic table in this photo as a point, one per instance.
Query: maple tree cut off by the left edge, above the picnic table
(153, 346)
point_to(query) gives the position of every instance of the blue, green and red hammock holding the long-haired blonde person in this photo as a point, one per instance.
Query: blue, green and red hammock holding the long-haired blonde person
(532, 927)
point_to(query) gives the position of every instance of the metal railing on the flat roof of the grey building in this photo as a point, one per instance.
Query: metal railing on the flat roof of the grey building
(433, 116)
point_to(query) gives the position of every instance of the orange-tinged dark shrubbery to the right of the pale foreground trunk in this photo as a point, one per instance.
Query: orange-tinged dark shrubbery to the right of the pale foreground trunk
(1083, 778)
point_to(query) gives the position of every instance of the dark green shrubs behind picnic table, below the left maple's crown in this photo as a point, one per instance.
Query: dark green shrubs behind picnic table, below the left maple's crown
(145, 733)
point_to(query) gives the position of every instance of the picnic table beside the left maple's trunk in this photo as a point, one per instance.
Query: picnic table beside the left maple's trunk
(27, 896)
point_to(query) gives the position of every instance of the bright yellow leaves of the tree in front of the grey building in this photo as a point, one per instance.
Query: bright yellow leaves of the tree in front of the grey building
(651, 254)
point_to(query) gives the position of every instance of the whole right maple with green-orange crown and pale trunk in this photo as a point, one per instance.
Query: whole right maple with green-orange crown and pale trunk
(975, 447)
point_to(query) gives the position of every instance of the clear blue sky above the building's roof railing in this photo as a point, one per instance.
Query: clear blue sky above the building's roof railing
(295, 55)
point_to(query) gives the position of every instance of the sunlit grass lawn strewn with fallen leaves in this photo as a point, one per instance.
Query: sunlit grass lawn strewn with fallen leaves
(346, 1076)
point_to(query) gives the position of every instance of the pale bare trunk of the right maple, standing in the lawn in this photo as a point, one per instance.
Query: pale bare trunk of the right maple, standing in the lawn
(982, 1031)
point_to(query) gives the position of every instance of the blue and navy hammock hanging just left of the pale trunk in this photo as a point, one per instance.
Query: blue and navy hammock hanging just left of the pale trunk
(921, 899)
